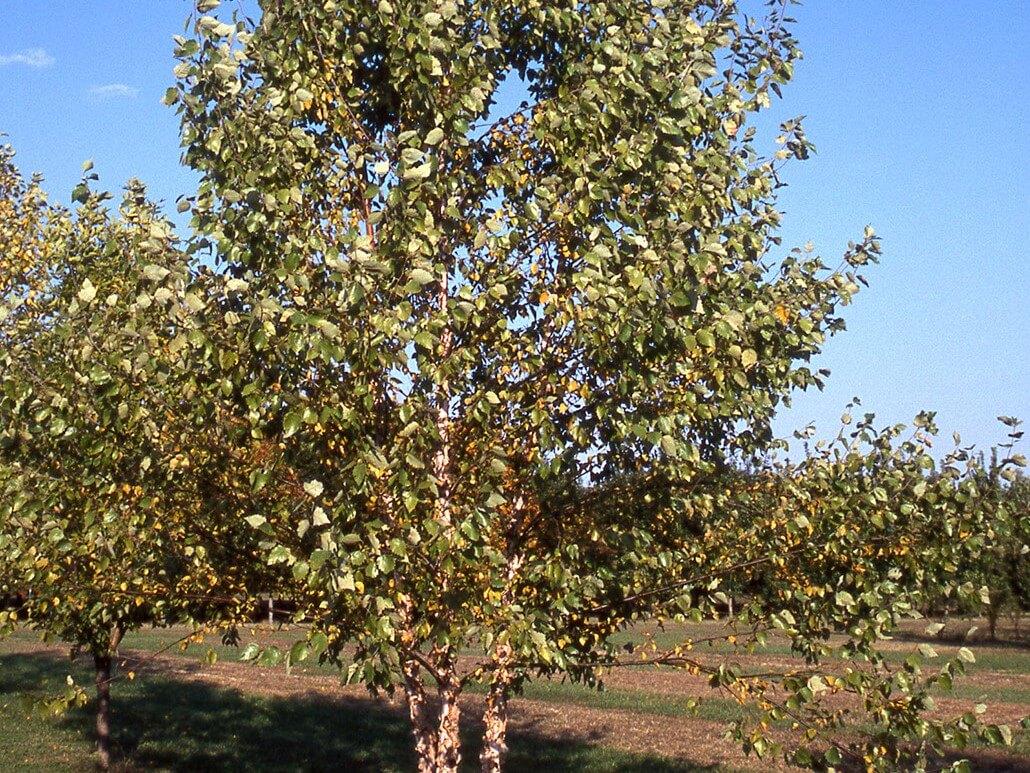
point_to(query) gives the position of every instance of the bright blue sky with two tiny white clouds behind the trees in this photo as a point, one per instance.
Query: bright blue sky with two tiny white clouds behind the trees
(920, 112)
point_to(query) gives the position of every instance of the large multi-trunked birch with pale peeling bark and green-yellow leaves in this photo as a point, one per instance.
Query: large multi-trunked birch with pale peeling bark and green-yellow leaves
(499, 359)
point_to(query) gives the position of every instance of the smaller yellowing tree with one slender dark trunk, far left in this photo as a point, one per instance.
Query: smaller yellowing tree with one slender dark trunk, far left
(107, 501)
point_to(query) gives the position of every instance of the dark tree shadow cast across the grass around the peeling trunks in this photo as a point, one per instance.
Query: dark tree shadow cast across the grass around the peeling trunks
(180, 726)
